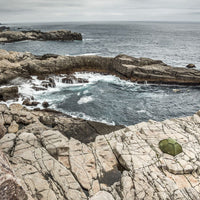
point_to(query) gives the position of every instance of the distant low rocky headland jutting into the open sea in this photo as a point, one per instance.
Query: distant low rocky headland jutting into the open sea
(14, 36)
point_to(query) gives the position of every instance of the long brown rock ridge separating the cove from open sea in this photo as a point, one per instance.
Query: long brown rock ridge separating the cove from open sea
(16, 64)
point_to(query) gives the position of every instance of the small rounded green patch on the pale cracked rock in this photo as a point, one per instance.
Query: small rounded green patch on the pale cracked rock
(170, 146)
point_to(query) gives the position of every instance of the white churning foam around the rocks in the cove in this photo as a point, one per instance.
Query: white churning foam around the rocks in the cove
(50, 94)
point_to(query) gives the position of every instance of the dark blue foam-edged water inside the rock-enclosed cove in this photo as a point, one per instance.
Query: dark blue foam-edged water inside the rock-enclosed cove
(111, 100)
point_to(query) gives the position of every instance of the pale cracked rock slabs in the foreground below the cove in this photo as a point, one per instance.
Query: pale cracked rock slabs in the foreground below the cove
(52, 162)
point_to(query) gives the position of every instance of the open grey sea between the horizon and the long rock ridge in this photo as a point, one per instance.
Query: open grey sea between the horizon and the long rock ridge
(176, 44)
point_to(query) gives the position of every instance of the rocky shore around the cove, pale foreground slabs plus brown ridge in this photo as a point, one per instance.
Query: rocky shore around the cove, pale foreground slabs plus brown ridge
(49, 155)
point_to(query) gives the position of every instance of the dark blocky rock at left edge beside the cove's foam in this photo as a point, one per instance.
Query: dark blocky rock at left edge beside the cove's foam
(8, 93)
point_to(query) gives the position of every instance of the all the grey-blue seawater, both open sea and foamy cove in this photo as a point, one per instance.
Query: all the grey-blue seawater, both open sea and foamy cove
(107, 98)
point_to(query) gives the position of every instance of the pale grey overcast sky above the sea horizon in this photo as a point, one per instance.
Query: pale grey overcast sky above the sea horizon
(101, 10)
